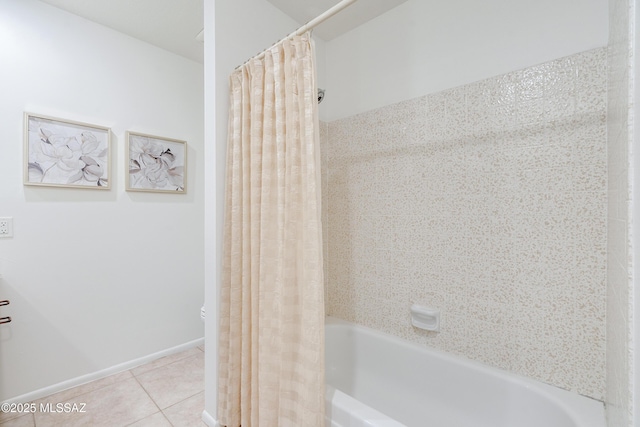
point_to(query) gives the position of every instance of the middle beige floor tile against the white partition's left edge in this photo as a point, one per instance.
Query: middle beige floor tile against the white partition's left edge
(175, 382)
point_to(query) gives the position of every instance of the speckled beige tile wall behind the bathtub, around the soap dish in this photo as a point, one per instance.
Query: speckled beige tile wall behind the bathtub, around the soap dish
(487, 202)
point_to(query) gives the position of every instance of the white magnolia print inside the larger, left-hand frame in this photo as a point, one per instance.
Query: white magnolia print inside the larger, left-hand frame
(71, 155)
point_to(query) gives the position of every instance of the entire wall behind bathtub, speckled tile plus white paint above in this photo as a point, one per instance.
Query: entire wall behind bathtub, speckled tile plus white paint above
(462, 46)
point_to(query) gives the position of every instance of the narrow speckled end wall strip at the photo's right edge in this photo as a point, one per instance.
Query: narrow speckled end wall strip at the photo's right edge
(620, 315)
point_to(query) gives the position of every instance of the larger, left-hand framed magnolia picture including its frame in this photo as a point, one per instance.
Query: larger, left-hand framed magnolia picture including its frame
(66, 153)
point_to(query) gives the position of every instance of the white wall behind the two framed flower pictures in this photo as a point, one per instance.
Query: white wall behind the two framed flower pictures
(95, 278)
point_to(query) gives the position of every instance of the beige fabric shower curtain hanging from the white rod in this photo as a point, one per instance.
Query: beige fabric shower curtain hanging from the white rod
(271, 350)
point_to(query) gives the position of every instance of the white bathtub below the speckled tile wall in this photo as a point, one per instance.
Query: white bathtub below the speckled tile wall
(377, 380)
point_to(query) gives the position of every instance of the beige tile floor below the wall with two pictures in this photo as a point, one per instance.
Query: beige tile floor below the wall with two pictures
(163, 393)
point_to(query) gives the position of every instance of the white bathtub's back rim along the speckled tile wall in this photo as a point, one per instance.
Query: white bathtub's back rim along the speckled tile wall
(583, 411)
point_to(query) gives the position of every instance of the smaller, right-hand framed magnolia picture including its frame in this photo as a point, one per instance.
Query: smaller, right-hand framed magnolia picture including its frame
(156, 164)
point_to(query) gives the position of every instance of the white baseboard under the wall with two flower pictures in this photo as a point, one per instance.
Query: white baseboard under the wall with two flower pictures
(47, 391)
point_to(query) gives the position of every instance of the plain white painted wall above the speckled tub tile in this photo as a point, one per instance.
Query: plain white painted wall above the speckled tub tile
(421, 47)
